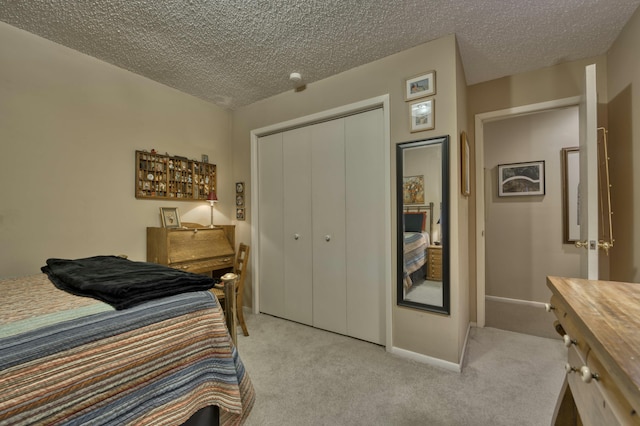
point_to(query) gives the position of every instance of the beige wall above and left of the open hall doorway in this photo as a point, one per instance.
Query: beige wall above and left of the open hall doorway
(551, 83)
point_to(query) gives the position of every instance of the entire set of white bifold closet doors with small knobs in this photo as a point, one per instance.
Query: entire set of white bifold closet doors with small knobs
(321, 221)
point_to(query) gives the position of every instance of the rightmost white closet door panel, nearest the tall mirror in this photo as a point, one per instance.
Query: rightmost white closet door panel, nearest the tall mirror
(364, 156)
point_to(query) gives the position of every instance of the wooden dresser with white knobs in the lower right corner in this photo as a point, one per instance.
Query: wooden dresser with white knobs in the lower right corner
(600, 321)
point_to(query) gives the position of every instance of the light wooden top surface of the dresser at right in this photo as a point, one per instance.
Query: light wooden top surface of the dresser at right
(608, 314)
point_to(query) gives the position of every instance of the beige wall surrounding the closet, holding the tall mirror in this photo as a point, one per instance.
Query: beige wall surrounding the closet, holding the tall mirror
(416, 331)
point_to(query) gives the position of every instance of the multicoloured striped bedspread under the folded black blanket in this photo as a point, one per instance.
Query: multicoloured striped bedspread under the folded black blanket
(83, 363)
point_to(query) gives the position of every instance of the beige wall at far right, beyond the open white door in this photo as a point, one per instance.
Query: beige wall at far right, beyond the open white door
(623, 84)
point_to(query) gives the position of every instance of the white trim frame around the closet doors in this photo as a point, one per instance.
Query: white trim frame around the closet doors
(354, 108)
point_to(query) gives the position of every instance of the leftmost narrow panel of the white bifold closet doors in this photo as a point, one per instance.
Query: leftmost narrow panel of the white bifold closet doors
(271, 244)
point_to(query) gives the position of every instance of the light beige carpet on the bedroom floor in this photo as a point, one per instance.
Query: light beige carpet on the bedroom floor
(306, 376)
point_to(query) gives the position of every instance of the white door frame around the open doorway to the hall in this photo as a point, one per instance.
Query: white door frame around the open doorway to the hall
(480, 120)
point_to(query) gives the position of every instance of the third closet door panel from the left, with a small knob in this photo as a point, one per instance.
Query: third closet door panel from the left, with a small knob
(328, 201)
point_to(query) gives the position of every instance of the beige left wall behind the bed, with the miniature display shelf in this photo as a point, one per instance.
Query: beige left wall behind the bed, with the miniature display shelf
(69, 126)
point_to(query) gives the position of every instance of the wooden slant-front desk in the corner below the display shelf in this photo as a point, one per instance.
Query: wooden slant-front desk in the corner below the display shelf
(198, 250)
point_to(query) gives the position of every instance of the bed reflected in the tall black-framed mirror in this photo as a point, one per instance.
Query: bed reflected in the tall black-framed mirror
(418, 228)
